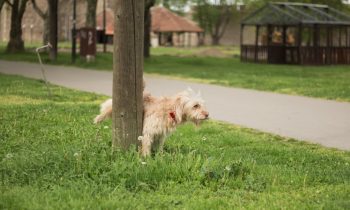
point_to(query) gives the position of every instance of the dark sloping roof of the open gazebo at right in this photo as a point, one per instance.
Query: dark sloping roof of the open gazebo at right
(284, 13)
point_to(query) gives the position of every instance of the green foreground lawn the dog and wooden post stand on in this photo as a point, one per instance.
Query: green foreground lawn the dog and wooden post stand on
(53, 157)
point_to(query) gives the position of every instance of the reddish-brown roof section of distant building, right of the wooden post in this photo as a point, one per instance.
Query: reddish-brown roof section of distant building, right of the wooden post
(165, 21)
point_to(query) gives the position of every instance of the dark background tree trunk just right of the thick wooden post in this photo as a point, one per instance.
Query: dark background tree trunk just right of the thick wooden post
(147, 29)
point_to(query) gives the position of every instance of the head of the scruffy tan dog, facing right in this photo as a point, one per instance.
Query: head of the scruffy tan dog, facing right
(191, 107)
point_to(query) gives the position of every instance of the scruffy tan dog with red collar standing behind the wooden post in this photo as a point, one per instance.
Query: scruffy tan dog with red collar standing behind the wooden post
(162, 115)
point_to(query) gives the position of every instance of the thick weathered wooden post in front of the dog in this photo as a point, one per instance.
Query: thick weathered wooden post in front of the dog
(127, 73)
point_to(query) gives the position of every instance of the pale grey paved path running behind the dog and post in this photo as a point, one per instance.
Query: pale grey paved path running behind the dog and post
(314, 120)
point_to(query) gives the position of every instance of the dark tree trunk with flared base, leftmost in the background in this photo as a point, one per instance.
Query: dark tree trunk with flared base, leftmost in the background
(16, 43)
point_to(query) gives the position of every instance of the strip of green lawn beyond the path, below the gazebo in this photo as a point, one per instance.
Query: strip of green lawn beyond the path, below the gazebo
(330, 82)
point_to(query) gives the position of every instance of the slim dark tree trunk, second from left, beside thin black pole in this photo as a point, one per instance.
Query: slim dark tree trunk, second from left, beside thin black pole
(53, 19)
